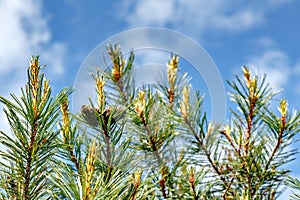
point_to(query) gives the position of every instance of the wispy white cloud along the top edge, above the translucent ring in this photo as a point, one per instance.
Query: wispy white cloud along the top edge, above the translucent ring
(196, 16)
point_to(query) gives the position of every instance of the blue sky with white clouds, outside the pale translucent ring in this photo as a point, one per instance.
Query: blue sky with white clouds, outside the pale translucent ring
(265, 35)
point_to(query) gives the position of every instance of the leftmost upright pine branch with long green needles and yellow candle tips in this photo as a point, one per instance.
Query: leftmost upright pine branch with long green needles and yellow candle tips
(30, 147)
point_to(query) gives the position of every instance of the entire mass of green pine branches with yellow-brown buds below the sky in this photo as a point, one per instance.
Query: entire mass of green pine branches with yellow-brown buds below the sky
(149, 143)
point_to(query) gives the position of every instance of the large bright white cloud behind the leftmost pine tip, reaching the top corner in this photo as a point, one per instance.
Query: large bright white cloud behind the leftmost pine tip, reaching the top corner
(25, 32)
